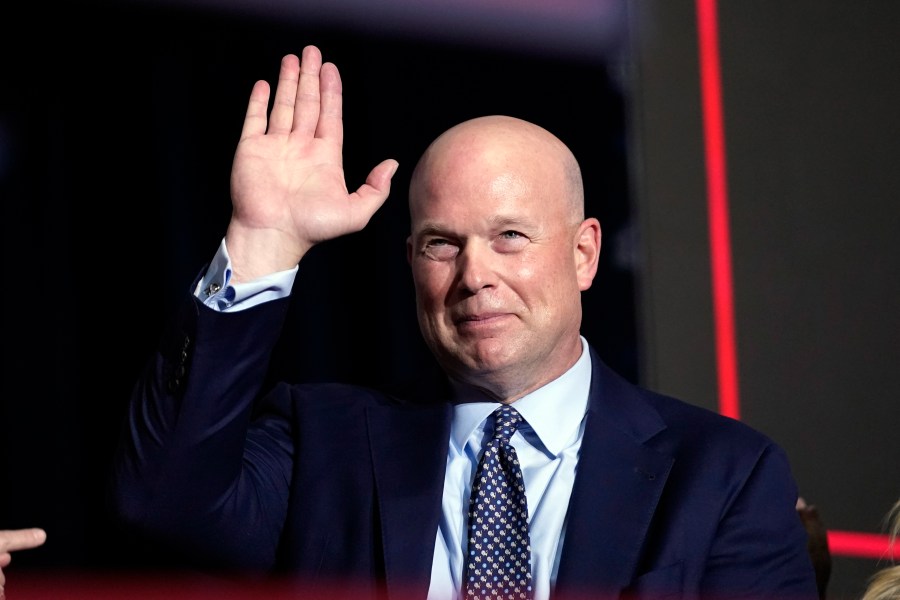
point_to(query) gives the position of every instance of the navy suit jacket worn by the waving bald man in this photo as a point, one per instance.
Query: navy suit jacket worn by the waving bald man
(342, 484)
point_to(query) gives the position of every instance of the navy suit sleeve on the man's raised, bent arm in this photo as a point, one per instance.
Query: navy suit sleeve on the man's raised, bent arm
(195, 468)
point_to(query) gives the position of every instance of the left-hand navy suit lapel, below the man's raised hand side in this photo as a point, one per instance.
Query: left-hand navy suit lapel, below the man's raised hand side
(409, 454)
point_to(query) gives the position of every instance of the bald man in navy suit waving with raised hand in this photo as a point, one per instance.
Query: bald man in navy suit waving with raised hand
(627, 492)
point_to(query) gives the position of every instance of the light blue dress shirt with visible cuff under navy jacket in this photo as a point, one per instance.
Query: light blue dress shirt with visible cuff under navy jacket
(547, 444)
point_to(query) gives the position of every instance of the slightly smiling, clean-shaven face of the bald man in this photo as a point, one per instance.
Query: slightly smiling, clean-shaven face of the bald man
(495, 257)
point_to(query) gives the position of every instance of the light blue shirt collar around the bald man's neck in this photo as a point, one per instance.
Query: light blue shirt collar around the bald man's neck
(554, 411)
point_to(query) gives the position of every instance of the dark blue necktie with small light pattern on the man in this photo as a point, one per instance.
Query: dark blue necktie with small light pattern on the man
(499, 559)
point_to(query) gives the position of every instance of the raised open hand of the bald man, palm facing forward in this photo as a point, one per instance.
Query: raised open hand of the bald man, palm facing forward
(288, 189)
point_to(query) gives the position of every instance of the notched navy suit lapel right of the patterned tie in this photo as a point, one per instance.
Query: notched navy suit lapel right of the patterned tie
(617, 488)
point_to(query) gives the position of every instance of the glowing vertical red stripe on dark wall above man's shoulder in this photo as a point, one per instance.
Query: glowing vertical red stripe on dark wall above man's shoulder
(717, 201)
